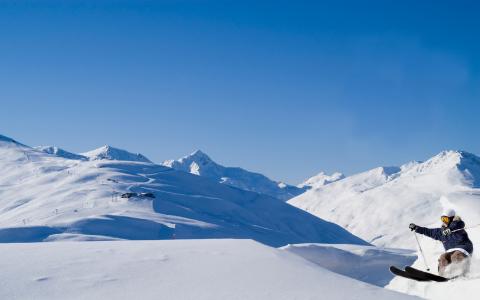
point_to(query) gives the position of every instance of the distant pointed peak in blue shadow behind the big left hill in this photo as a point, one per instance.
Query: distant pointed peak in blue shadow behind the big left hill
(201, 164)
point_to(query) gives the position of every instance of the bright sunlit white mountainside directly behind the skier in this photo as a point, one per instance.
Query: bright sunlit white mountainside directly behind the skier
(378, 205)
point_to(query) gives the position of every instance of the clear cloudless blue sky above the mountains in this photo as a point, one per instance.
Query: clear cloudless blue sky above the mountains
(286, 88)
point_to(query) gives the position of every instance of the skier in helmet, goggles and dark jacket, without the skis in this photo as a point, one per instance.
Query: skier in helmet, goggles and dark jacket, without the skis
(455, 240)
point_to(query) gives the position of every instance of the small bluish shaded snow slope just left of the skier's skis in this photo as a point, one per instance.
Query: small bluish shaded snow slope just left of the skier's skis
(365, 263)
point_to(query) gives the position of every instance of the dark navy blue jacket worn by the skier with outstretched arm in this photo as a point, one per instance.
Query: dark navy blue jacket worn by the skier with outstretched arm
(458, 239)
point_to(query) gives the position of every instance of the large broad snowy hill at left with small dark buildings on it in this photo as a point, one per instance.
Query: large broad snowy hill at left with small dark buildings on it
(47, 197)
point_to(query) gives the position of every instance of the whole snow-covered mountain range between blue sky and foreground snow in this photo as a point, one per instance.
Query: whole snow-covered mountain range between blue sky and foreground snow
(376, 205)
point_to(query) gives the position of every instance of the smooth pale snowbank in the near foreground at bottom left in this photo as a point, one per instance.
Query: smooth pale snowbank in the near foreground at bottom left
(207, 269)
